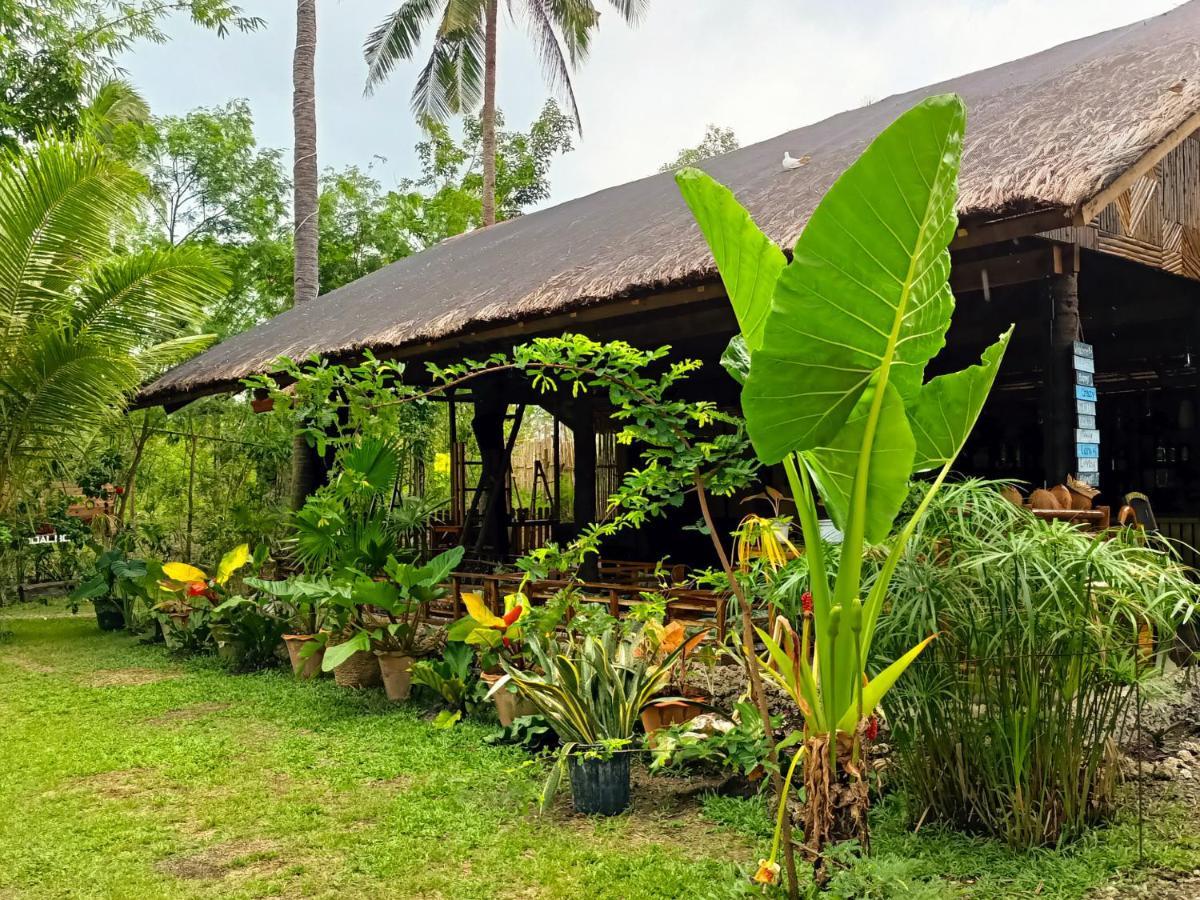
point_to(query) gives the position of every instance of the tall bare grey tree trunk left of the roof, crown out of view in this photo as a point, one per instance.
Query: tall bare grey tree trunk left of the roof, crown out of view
(307, 469)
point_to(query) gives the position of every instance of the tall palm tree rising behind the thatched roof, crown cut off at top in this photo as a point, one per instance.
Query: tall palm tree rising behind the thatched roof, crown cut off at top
(461, 69)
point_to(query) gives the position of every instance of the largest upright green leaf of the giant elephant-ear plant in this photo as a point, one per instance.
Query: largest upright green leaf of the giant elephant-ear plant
(867, 289)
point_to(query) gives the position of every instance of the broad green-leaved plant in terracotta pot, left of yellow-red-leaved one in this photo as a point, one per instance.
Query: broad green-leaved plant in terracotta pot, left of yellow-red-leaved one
(388, 617)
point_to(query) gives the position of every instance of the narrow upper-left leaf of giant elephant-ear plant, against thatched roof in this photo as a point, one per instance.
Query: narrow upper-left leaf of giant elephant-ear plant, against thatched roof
(749, 262)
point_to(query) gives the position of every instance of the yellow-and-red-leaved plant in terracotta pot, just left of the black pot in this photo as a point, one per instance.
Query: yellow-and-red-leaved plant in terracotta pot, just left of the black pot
(493, 635)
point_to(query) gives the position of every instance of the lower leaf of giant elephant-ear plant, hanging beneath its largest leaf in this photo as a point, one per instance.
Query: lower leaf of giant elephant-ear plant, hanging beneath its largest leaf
(892, 449)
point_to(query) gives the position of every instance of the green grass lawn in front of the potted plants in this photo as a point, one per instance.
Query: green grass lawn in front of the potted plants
(128, 775)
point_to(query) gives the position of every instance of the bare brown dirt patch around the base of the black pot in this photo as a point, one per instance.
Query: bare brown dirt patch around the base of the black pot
(665, 812)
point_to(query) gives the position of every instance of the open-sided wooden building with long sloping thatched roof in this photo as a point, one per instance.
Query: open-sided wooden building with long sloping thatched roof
(1079, 221)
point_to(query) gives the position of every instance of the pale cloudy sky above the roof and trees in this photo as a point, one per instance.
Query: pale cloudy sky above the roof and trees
(758, 67)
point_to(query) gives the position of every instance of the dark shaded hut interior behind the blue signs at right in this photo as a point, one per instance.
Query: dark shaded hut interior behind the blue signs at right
(1143, 327)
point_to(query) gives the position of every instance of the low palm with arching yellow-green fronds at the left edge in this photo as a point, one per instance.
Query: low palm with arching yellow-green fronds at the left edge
(83, 320)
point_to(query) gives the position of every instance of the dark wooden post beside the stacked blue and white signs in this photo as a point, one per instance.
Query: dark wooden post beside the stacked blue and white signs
(1058, 403)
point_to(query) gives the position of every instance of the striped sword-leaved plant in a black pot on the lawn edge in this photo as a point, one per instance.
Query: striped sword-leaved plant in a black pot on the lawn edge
(592, 692)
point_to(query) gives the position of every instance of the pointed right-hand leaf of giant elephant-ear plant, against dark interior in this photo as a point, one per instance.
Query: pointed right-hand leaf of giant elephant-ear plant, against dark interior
(949, 407)
